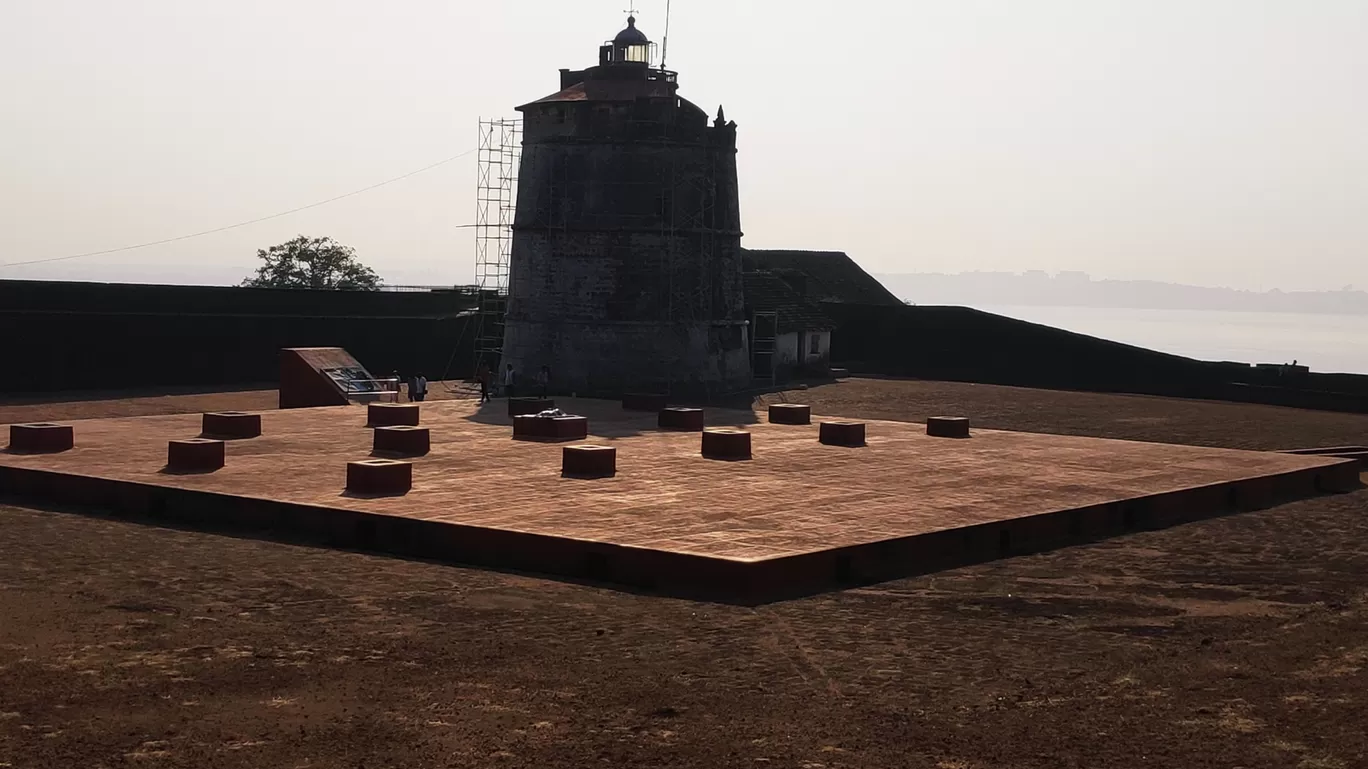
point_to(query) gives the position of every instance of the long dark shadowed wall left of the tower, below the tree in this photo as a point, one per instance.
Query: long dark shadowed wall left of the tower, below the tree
(110, 337)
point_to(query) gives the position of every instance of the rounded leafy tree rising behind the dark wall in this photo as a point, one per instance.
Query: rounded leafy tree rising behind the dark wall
(313, 263)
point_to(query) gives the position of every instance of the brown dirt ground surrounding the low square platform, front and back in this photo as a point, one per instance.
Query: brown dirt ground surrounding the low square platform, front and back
(1233, 642)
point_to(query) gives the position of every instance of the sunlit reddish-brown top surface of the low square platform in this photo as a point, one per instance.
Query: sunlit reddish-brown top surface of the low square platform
(795, 497)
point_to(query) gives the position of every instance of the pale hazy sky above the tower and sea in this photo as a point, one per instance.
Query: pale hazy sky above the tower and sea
(1206, 142)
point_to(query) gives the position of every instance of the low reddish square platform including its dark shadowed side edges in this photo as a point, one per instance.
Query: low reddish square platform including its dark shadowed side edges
(798, 518)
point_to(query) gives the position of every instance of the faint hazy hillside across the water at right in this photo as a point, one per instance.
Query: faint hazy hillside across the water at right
(1077, 289)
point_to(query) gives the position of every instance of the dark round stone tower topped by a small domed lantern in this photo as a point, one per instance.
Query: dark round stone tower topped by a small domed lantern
(627, 265)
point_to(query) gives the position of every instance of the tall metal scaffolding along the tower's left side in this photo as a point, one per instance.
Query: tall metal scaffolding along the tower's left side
(497, 168)
